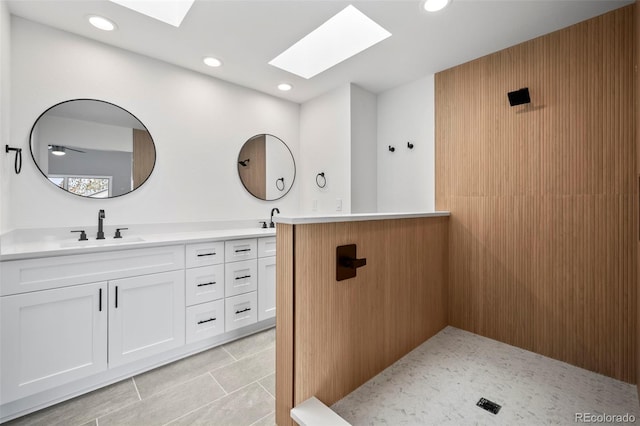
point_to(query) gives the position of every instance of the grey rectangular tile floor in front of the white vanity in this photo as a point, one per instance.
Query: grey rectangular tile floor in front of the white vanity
(233, 384)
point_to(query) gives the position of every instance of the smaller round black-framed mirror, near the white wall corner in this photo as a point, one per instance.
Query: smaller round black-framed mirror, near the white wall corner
(266, 167)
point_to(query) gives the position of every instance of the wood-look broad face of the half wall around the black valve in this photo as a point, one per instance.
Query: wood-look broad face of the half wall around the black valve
(346, 332)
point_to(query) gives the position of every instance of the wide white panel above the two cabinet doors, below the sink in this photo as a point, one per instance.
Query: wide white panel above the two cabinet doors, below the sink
(20, 276)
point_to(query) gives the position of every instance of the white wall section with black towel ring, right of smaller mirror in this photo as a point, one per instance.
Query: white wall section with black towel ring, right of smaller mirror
(325, 146)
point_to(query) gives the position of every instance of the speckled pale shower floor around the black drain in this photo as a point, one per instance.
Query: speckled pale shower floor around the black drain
(439, 383)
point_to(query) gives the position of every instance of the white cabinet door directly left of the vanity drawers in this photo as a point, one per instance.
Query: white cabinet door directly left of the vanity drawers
(146, 316)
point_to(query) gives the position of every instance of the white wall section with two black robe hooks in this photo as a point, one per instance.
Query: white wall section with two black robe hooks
(406, 178)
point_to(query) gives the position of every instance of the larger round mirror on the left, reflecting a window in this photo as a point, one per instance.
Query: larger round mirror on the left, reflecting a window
(92, 148)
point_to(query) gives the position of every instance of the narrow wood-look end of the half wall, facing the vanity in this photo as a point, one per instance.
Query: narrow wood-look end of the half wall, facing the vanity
(284, 323)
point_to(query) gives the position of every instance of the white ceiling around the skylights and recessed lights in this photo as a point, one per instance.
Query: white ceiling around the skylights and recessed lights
(247, 34)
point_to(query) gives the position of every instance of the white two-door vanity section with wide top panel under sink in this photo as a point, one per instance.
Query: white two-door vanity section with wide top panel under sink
(59, 321)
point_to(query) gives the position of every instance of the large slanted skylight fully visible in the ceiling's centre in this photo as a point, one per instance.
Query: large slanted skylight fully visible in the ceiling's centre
(344, 35)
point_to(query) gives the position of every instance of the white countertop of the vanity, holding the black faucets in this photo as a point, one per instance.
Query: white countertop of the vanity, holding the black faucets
(34, 243)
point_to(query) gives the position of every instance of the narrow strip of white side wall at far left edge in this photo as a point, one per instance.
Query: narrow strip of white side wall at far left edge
(6, 165)
